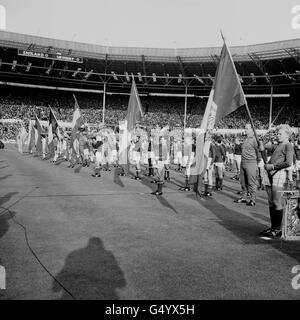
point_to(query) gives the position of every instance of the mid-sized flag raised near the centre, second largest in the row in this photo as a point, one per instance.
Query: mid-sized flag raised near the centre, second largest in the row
(134, 111)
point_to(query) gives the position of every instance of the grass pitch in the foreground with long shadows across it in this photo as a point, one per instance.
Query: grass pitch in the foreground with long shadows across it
(109, 238)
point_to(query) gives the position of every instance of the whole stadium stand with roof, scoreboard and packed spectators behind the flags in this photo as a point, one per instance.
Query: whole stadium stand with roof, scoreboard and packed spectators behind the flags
(30, 63)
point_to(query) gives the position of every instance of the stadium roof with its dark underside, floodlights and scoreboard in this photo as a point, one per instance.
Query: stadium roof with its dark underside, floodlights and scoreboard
(50, 62)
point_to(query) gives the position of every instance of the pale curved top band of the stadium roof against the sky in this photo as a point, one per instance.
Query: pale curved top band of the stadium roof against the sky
(278, 50)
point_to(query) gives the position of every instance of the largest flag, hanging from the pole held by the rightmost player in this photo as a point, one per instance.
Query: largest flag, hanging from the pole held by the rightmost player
(225, 97)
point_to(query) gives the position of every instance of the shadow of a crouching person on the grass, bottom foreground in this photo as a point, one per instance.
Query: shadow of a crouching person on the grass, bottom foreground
(90, 273)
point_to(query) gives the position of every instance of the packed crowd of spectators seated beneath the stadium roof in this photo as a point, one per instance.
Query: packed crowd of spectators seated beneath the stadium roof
(25, 103)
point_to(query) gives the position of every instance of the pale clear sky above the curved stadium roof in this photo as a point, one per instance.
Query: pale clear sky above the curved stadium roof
(156, 23)
